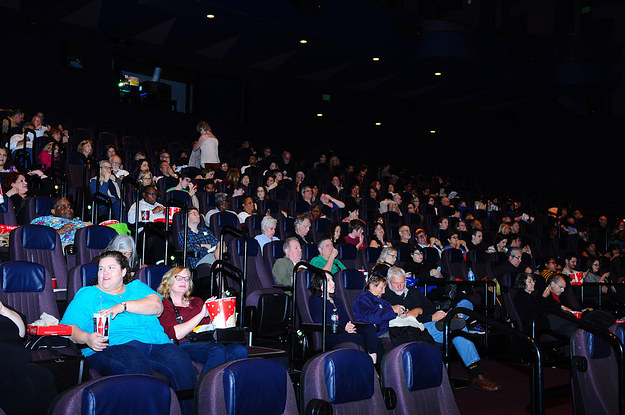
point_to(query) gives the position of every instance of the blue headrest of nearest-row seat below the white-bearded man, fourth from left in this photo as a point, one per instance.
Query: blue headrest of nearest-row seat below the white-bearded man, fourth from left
(423, 366)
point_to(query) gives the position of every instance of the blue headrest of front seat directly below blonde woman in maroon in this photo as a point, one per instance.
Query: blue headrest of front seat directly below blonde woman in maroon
(254, 386)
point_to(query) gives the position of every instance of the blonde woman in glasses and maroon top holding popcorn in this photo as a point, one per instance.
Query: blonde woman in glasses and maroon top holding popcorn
(182, 313)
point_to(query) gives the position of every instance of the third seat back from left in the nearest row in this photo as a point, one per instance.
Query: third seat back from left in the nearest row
(346, 379)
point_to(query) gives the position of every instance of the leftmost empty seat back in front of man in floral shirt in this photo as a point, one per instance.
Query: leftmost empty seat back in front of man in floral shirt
(41, 245)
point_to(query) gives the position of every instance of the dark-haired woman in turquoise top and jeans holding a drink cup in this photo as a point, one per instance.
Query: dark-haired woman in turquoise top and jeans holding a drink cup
(136, 342)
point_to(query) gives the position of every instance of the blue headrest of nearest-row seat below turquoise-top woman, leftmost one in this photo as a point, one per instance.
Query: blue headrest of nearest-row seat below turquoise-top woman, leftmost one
(129, 394)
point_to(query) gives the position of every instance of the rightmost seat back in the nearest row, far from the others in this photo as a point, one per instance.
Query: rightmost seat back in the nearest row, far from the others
(595, 389)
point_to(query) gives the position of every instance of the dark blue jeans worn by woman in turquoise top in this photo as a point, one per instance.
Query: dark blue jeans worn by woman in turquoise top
(142, 358)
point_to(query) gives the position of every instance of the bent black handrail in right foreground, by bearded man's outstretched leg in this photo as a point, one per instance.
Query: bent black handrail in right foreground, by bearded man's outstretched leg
(536, 379)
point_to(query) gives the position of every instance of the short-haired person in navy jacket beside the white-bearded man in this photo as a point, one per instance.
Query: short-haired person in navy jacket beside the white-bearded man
(370, 308)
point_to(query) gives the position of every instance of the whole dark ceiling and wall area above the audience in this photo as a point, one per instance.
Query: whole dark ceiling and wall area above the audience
(530, 101)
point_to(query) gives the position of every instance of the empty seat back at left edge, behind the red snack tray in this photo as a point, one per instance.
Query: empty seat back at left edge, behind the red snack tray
(27, 288)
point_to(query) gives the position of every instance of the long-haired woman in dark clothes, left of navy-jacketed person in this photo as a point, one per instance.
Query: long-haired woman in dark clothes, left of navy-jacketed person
(362, 334)
